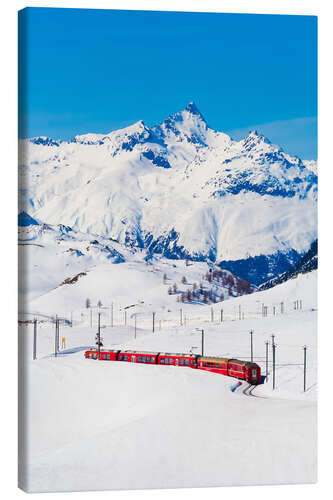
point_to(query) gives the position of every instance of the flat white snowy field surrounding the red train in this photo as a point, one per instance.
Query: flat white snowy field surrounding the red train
(94, 425)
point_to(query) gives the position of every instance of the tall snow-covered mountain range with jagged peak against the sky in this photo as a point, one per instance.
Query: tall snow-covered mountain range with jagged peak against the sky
(179, 189)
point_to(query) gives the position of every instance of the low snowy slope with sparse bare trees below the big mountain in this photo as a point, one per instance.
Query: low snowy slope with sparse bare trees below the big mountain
(55, 258)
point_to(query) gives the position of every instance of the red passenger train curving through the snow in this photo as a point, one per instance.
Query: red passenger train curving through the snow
(243, 370)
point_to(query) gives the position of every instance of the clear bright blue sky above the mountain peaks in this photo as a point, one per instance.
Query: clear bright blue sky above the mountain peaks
(99, 70)
